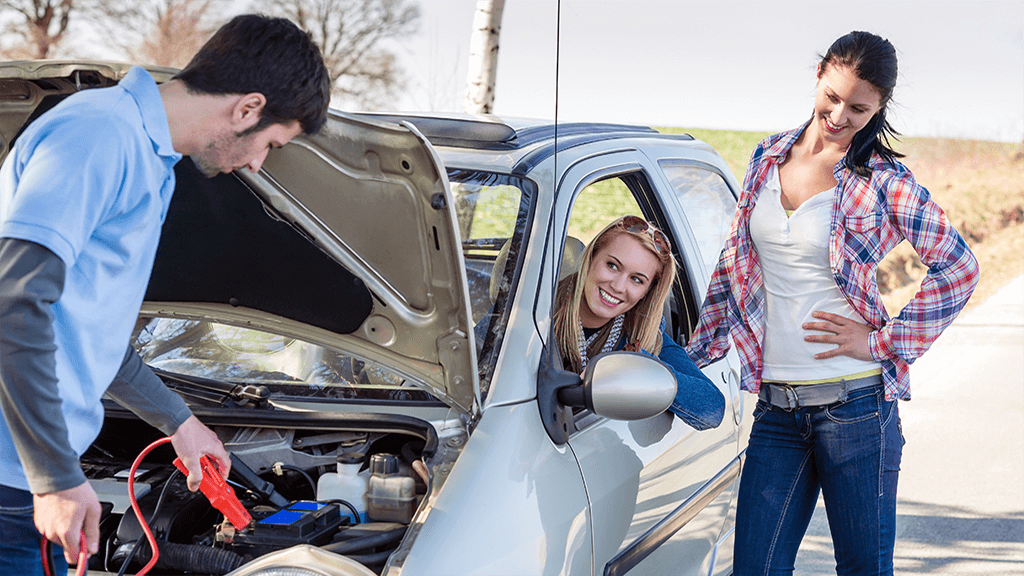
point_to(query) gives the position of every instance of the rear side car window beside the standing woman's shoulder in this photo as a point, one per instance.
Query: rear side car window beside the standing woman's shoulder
(708, 204)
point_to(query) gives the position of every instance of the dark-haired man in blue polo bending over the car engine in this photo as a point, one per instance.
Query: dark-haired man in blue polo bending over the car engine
(83, 194)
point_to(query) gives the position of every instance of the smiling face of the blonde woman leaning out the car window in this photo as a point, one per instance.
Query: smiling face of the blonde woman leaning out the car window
(620, 276)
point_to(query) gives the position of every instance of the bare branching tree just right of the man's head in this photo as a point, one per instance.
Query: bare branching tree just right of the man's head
(354, 36)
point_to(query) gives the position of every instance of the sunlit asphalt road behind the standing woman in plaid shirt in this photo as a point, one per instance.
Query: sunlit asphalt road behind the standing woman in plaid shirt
(961, 499)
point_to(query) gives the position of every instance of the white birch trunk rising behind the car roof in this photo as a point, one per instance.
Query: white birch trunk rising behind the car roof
(484, 57)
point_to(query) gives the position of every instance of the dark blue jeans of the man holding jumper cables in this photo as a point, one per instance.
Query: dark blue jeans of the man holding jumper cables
(20, 551)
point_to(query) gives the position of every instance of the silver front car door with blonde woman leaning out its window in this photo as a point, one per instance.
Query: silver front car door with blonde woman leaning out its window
(660, 491)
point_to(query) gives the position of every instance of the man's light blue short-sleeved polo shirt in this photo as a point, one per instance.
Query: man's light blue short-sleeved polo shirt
(92, 181)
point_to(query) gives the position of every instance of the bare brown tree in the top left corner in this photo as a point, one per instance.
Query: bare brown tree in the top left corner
(37, 27)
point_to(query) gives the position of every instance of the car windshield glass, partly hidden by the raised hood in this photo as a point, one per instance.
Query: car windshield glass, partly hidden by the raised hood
(492, 212)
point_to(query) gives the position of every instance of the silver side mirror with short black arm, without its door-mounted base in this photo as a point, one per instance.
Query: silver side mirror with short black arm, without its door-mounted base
(623, 386)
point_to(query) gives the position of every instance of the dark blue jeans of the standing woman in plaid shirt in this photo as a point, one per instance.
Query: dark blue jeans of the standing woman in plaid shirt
(850, 451)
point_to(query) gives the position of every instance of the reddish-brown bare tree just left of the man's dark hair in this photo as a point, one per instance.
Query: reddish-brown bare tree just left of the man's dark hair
(158, 32)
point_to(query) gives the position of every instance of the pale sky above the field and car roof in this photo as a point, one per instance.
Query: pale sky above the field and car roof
(726, 65)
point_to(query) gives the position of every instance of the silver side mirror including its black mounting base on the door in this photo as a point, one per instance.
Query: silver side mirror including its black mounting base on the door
(621, 386)
